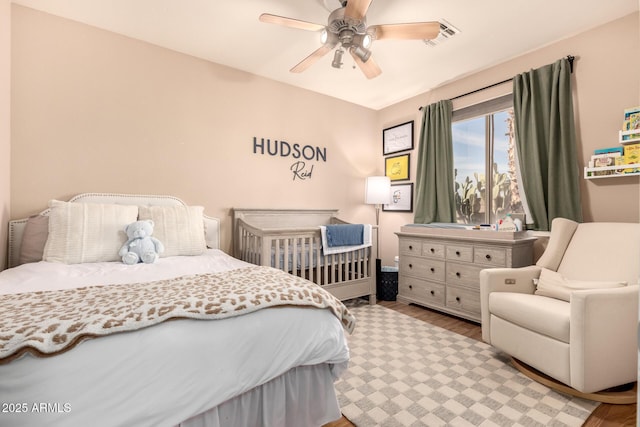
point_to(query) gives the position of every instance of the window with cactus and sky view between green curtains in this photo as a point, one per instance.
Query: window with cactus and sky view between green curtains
(484, 162)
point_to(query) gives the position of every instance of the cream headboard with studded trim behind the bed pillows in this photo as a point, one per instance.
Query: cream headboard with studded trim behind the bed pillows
(17, 226)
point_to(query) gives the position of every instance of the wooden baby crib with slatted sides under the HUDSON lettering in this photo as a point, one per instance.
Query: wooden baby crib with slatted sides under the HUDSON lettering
(292, 240)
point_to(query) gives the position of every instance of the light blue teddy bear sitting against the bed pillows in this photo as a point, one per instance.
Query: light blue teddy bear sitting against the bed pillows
(141, 246)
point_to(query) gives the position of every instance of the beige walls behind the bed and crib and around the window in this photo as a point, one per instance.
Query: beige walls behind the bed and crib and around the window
(94, 111)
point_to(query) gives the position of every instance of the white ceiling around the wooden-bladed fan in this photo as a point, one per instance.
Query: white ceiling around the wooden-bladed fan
(228, 32)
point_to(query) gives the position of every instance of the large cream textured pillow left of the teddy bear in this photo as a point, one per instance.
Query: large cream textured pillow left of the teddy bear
(87, 232)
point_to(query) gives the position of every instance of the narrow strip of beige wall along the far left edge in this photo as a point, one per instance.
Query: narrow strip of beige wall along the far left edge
(5, 121)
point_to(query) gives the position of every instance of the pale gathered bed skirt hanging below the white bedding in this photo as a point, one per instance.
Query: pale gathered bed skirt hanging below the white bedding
(302, 397)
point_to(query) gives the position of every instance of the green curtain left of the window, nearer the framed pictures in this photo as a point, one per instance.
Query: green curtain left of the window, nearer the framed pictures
(434, 182)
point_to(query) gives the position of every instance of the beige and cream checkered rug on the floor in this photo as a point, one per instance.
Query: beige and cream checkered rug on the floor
(406, 372)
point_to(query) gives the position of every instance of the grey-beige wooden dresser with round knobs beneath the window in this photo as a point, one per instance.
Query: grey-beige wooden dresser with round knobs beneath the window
(440, 267)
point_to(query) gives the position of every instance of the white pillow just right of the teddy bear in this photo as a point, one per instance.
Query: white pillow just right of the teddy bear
(179, 228)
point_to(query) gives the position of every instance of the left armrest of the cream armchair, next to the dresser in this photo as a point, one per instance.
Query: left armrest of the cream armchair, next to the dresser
(503, 280)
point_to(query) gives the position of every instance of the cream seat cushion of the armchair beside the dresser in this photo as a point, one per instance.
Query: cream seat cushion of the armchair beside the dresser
(546, 316)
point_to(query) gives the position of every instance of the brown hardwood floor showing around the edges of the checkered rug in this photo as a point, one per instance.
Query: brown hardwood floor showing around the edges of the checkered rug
(604, 416)
